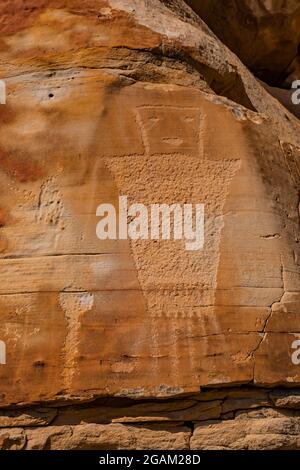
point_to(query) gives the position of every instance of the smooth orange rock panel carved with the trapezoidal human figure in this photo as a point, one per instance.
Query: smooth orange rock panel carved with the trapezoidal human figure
(84, 317)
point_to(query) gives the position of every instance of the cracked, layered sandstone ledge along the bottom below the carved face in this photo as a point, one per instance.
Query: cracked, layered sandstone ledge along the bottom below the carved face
(223, 419)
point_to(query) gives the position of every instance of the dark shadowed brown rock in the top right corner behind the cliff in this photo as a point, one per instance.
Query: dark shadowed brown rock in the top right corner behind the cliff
(265, 34)
